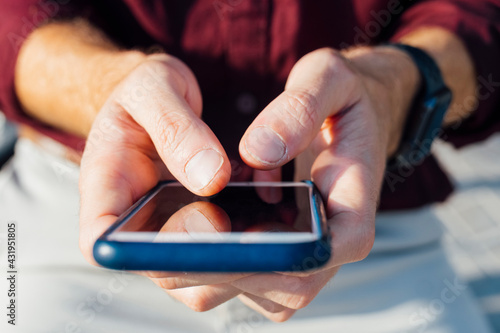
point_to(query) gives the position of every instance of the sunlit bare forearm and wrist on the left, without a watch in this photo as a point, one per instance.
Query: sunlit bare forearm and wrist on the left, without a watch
(64, 71)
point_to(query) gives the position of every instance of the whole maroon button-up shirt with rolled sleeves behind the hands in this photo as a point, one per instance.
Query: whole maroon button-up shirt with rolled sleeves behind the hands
(241, 52)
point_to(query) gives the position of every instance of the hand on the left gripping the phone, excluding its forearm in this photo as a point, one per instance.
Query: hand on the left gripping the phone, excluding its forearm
(148, 129)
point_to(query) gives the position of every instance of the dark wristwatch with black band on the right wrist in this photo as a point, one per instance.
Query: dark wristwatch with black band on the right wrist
(424, 121)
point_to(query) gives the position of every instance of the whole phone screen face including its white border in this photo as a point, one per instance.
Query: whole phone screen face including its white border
(241, 212)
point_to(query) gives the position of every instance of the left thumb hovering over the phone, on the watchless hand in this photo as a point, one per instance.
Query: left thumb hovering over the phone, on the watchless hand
(164, 98)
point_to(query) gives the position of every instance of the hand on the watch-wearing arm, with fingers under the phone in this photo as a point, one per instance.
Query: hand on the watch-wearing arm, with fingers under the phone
(341, 116)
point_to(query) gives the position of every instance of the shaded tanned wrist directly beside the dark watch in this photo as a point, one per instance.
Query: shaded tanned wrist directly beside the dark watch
(392, 81)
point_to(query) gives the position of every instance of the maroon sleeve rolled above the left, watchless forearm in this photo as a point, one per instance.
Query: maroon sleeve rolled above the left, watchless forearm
(17, 20)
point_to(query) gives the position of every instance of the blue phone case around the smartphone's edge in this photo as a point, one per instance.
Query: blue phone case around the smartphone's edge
(214, 257)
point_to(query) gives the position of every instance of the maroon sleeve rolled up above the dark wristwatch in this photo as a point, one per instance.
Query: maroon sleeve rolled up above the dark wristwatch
(477, 23)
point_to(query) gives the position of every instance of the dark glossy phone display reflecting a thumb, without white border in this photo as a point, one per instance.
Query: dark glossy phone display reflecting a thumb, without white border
(234, 209)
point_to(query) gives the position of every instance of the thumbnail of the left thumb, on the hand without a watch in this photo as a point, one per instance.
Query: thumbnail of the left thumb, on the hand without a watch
(203, 167)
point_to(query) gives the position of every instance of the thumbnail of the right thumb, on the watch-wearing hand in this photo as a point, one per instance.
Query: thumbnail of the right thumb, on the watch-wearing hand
(265, 145)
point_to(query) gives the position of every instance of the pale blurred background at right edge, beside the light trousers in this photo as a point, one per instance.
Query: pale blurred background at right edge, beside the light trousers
(471, 219)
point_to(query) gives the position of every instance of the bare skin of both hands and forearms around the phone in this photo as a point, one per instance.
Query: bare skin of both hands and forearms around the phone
(341, 114)
